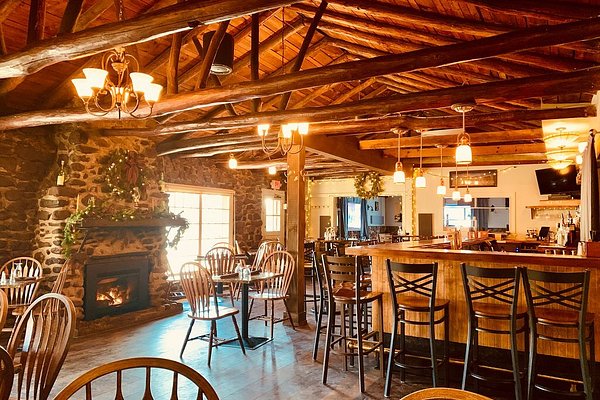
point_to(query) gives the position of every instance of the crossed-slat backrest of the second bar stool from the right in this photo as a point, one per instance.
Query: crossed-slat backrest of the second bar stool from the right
(491, 285)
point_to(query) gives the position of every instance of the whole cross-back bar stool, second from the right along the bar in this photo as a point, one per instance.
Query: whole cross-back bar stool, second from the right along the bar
(492, 295)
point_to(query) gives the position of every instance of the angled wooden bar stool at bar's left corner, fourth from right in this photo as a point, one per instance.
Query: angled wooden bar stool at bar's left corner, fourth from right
(346, 289)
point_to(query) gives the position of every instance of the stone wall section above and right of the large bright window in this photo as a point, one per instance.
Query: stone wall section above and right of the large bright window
(247, 184)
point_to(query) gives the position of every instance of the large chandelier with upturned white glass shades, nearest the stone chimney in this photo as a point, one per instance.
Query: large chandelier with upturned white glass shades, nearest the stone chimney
(117, 86)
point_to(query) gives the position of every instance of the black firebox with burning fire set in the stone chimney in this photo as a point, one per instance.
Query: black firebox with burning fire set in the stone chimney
(115, 284)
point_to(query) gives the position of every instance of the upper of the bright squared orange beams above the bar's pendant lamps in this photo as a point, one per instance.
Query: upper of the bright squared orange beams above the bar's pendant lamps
(520, 135)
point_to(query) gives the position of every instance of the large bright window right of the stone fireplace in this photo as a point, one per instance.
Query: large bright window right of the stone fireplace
(209, 213)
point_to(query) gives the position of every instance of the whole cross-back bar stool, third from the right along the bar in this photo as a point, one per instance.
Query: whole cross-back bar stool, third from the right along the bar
(413, 288)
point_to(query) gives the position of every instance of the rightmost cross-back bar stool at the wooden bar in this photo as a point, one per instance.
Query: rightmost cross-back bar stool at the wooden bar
(559, 300)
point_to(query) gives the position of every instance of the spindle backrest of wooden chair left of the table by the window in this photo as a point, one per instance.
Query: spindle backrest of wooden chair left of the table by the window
(198, 287)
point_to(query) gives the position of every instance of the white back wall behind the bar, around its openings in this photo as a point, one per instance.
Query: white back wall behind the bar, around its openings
(518, 183)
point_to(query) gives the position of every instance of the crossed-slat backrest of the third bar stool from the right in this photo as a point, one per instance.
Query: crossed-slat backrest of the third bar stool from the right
(421, 281)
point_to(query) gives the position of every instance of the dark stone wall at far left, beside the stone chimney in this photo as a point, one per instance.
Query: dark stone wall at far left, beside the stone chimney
(25, 160)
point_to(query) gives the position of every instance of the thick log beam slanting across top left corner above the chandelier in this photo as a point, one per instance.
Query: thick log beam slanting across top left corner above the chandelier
(178, 17)
